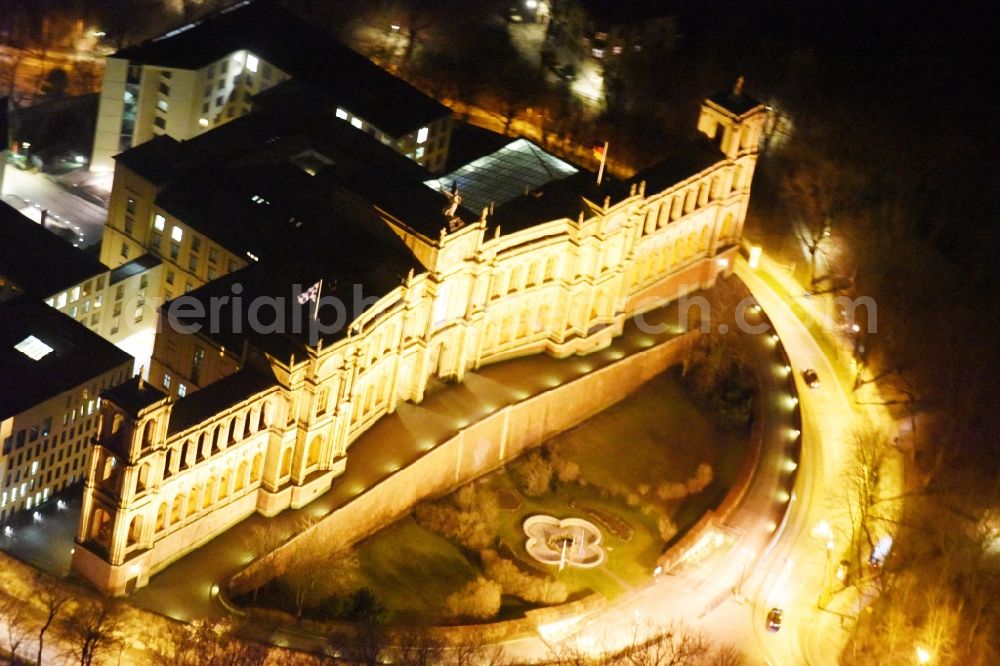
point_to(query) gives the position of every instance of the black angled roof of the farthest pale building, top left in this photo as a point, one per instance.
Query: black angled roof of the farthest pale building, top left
(302, 50)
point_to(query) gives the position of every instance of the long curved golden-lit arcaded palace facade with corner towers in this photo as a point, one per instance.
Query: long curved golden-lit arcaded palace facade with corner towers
(167, 474)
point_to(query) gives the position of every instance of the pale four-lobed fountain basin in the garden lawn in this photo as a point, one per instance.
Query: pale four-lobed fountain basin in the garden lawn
(568, 542)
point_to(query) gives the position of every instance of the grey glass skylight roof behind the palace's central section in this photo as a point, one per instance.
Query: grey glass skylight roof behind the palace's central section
(503, 175)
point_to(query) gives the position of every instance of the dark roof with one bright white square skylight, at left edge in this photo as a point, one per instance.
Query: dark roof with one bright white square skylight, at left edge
(44, 353)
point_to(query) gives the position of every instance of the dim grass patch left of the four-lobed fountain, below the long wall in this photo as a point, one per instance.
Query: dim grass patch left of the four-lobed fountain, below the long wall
(411, 570)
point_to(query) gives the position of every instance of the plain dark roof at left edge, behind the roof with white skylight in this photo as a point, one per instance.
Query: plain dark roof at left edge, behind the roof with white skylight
(38, 261)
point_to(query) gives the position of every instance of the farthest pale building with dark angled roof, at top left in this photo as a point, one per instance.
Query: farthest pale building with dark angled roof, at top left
(207, 73)
